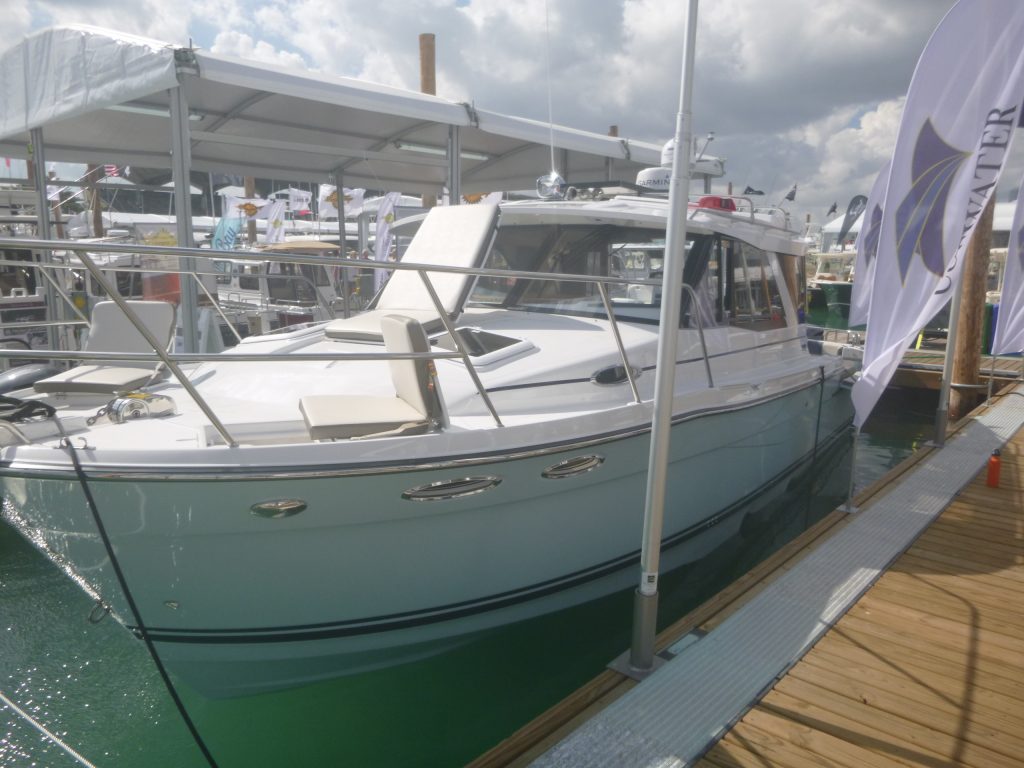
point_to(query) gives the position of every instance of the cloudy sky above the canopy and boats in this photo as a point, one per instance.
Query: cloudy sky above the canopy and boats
(805, 93)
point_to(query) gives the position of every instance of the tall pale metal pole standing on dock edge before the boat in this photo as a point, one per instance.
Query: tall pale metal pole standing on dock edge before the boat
(646, 600)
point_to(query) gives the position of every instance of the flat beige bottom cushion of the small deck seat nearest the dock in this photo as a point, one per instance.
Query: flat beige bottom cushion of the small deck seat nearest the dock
(331, 417)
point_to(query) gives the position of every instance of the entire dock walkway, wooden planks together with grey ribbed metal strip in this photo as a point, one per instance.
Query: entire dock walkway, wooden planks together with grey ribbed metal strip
(893, 636)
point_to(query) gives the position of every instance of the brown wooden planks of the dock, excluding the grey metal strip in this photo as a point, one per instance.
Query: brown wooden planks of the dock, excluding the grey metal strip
(926, 669)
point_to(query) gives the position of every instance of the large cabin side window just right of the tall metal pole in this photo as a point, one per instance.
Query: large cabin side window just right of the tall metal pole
(752, 291)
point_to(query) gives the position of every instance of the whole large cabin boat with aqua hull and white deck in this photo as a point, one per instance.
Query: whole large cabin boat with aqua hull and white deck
(324, 526)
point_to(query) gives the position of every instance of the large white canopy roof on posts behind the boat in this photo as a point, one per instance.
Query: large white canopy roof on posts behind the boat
(104, 97)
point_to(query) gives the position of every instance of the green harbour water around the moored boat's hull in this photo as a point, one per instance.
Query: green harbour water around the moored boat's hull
(96, 687)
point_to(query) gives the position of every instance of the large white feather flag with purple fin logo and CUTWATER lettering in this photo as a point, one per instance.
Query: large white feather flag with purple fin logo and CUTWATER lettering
(959, 119)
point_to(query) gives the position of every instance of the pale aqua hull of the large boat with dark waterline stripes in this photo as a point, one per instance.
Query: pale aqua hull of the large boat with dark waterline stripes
(362, 578)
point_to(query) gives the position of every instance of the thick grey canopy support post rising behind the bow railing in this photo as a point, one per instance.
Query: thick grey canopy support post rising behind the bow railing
(181, 167)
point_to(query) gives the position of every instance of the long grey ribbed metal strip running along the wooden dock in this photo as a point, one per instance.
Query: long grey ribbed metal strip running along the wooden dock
(675, 715)
